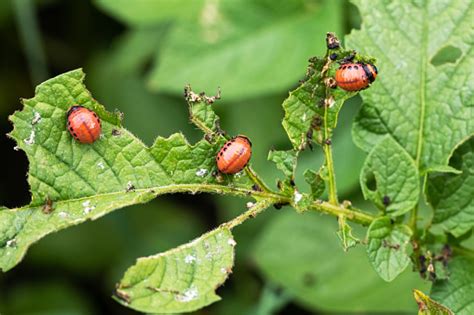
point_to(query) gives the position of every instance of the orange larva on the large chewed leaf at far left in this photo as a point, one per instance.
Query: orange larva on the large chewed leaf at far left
(83, 124)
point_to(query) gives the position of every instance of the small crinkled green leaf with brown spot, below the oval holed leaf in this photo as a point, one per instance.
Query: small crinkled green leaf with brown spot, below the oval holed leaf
(388, 247)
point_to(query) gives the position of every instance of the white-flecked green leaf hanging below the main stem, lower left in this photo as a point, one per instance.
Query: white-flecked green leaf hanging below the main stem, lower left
(183, 279)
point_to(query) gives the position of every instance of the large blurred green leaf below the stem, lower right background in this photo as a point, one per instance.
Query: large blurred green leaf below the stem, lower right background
(320, 276)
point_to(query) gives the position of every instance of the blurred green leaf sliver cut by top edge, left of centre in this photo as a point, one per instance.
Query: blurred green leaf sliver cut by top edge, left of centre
(151, 12)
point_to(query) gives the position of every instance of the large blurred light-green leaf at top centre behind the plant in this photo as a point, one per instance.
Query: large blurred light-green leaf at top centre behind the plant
(243, 46)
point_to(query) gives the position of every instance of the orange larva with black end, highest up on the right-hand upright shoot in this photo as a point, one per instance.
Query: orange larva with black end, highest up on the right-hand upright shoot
(355, 76)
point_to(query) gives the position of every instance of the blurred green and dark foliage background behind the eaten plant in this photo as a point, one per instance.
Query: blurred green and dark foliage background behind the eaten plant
(138, 55)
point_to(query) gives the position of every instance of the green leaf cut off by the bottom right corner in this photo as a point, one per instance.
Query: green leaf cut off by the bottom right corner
(457, 292)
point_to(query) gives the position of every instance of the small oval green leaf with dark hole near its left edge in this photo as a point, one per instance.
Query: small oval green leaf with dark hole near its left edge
(397, 186)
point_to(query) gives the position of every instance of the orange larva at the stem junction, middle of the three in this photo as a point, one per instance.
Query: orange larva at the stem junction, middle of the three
(234, 155)
